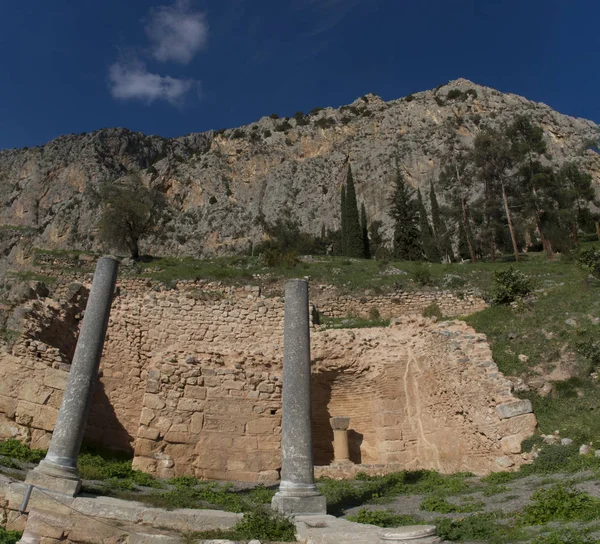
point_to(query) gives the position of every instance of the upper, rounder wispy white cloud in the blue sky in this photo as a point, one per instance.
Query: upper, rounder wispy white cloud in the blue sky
(176, 32)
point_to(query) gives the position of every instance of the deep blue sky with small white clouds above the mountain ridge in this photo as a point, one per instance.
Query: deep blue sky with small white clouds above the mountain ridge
(173, 67)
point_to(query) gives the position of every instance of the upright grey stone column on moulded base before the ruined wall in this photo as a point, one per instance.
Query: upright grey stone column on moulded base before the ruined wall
(297, 491)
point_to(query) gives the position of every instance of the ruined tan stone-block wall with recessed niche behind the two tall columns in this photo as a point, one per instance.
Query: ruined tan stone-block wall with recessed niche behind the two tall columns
(190, 384)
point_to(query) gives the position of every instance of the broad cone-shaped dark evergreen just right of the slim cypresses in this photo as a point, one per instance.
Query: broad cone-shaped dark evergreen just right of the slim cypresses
(407, 241)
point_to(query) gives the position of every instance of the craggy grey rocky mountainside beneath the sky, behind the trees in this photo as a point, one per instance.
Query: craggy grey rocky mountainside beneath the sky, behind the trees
(223, 186)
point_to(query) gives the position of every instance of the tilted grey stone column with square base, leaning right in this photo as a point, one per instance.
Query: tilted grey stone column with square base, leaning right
(58, 471)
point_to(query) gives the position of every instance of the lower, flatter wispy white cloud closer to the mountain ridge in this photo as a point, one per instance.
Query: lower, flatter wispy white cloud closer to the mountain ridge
(131, 80)
